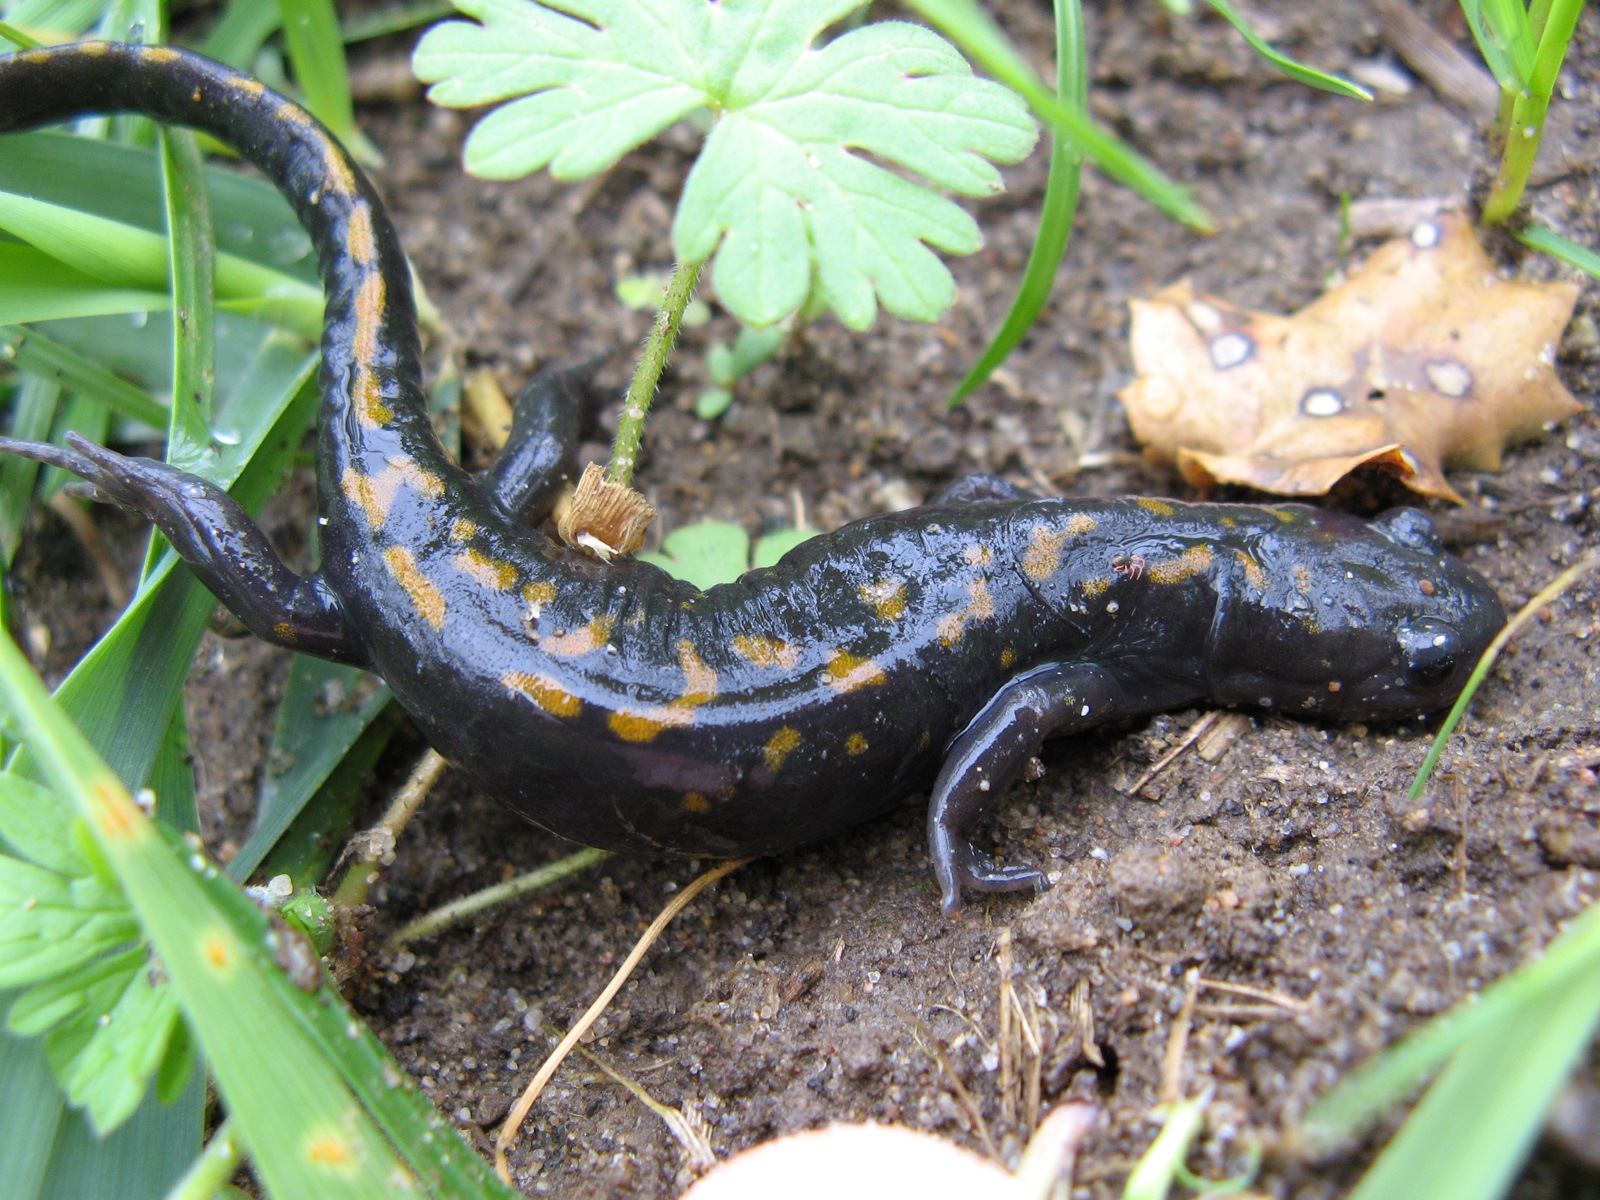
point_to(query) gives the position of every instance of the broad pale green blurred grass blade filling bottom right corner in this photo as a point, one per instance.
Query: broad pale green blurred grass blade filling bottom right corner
(1474, 1127)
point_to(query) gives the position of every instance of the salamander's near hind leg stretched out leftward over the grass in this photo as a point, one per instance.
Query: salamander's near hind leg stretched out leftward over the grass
(223, 546)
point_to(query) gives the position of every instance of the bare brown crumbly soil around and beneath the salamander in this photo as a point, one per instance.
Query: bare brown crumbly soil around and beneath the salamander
(825, 985)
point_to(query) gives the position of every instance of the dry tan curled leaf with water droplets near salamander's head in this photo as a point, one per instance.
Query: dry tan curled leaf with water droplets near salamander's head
(1423, 356)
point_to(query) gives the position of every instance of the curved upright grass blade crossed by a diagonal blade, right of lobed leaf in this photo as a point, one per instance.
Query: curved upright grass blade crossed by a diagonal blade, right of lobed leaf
(1057, 214)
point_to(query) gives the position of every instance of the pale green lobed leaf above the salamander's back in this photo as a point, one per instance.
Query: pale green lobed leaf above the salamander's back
(782, 191)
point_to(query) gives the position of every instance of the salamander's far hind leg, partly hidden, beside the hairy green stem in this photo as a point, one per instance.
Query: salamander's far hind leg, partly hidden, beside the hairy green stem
(542, 452)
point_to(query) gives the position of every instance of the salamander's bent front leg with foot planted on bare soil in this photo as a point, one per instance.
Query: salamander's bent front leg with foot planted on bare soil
(986, 759)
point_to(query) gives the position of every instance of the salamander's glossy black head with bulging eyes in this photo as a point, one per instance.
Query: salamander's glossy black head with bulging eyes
(1348, 618)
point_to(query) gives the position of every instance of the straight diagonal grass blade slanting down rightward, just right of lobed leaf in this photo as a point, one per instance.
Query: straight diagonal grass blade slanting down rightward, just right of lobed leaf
(983, 42)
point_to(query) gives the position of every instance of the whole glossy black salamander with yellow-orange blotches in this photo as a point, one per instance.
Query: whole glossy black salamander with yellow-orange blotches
(617, 706)
